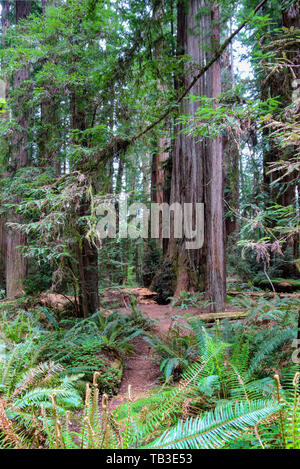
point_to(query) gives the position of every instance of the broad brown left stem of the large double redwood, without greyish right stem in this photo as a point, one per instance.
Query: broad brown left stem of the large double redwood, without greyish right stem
(187, 179)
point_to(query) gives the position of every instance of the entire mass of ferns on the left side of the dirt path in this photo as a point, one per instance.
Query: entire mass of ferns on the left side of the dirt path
(73, 355)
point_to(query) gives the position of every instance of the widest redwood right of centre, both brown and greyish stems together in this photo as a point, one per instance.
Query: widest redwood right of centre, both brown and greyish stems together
(197, 173)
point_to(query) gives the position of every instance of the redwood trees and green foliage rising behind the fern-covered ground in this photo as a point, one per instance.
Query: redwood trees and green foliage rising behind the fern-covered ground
(105, 98)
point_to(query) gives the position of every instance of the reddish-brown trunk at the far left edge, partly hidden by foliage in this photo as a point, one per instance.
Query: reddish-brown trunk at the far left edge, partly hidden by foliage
(16, 264)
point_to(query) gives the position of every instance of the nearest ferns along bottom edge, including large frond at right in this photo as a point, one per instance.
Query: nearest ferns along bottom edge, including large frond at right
(143, 422)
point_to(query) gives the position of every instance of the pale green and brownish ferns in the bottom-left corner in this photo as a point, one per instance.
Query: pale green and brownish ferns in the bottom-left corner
(26, 385)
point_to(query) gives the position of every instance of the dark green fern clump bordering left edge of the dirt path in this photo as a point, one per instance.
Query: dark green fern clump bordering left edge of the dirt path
(96, 344)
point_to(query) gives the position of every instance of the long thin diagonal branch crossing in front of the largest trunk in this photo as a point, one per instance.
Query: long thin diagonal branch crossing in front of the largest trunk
(120, 144)
